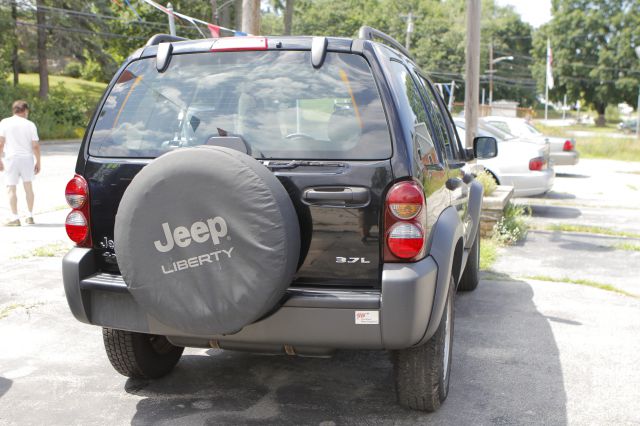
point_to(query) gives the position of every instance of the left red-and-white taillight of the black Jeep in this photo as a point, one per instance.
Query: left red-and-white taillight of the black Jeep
(77, 223)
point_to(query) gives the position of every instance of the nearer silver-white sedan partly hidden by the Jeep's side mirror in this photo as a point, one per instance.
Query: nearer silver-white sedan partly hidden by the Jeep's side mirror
(520, 163)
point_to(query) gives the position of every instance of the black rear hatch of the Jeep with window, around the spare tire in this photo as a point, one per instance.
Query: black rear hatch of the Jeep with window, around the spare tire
(323, 132)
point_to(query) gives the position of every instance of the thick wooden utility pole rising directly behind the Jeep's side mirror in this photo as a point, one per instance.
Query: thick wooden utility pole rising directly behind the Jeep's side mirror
(472, 71)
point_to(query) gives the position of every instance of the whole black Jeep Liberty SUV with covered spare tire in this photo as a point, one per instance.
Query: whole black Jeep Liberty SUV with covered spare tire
(291, 195)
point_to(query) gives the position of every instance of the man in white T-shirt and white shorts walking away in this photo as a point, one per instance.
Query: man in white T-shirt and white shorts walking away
(19, 143)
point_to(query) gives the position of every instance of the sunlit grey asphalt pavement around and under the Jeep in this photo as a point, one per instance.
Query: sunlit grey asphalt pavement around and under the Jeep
(525, 351)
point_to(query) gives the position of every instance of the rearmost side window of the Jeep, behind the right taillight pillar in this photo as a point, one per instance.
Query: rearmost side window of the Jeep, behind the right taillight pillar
(424, 144)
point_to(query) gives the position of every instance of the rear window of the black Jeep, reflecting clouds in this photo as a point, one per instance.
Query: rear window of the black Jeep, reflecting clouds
(275, 103)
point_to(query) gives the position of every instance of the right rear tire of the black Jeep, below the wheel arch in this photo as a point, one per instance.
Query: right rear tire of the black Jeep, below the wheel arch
(422, 373)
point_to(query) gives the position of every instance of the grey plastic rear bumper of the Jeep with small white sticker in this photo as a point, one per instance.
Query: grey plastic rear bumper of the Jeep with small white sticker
(310, 320)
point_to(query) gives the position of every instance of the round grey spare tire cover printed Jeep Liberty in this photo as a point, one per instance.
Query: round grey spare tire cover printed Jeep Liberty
(207, 240)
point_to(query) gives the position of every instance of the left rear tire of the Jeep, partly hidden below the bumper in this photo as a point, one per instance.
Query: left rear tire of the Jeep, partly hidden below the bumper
(138, 355)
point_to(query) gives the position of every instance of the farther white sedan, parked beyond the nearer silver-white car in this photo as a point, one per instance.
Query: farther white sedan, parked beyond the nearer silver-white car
(563, 150)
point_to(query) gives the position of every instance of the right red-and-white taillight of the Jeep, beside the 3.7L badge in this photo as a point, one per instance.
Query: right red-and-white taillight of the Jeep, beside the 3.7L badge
(405, 223)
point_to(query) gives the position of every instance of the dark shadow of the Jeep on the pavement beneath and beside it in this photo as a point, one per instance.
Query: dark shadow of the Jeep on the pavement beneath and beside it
(506, 370)
